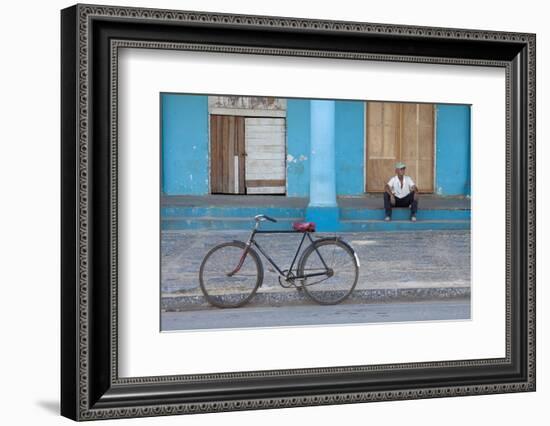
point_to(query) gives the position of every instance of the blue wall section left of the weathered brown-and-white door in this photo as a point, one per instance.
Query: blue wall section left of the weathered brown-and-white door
(184, 144)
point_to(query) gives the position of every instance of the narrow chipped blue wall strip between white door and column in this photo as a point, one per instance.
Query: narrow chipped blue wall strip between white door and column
(298, 147)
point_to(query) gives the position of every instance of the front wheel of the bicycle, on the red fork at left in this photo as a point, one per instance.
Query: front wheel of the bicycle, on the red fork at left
(221, 284)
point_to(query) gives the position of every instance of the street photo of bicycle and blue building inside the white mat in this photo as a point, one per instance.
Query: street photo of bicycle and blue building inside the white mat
(248, 174)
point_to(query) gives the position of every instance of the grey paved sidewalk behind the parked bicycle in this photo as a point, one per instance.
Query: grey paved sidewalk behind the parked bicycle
(407, 266)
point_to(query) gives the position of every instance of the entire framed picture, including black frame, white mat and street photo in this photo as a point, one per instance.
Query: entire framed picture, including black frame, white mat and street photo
(263, 212)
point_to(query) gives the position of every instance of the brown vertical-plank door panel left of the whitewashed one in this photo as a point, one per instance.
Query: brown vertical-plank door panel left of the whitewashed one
(227, 154)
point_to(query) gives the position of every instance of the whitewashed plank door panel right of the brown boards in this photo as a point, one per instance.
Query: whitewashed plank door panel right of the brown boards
(265, 142)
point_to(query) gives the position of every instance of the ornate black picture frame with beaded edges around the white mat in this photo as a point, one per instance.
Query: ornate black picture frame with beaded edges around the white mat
(91, 387)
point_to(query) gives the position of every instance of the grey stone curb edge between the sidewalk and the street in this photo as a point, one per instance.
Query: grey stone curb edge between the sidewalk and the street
(274, 299)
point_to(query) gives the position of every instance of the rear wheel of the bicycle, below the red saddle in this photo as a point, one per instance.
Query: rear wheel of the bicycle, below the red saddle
(337, 267)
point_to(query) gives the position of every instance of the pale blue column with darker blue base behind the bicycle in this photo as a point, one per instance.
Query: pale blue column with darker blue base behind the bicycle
(323, 208)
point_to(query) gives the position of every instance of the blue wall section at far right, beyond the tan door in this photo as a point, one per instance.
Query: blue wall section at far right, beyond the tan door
(452, 175)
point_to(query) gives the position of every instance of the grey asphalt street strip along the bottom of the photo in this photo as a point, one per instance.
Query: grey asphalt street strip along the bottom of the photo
(302, 315)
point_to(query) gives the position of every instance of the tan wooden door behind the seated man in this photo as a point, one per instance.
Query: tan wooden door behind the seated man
(399, 132)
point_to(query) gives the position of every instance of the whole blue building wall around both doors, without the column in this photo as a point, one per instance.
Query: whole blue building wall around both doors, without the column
(185, 162)
